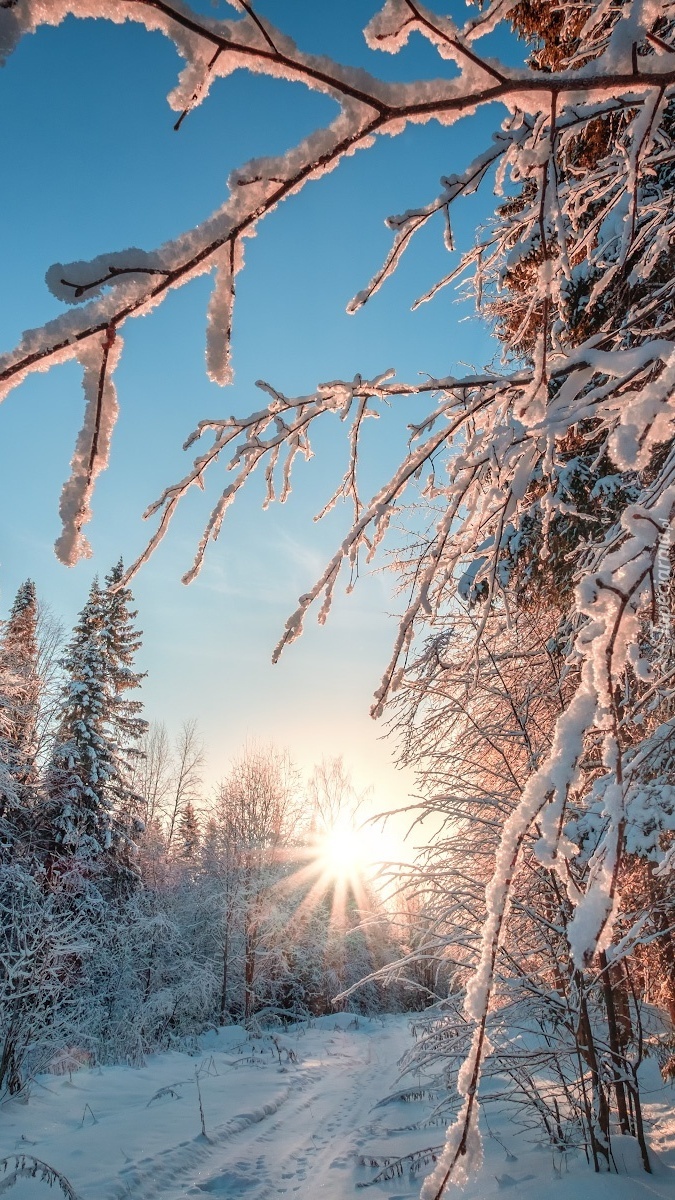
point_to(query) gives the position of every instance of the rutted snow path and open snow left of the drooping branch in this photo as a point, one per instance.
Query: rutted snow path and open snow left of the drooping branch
(286, 1119)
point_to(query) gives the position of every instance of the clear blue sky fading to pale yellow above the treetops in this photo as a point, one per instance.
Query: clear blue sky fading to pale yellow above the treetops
(94, 165)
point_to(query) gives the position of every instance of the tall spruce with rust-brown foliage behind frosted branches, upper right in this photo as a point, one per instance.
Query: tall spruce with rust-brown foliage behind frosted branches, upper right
(541, 553)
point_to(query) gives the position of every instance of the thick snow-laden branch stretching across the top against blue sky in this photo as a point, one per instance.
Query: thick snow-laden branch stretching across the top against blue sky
(122, 285)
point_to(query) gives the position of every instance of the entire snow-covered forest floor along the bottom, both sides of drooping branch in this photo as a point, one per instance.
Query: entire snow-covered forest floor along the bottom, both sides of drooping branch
(295, 1114)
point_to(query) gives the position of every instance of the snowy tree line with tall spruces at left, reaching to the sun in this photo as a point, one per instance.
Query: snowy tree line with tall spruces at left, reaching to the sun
(138, 909)
